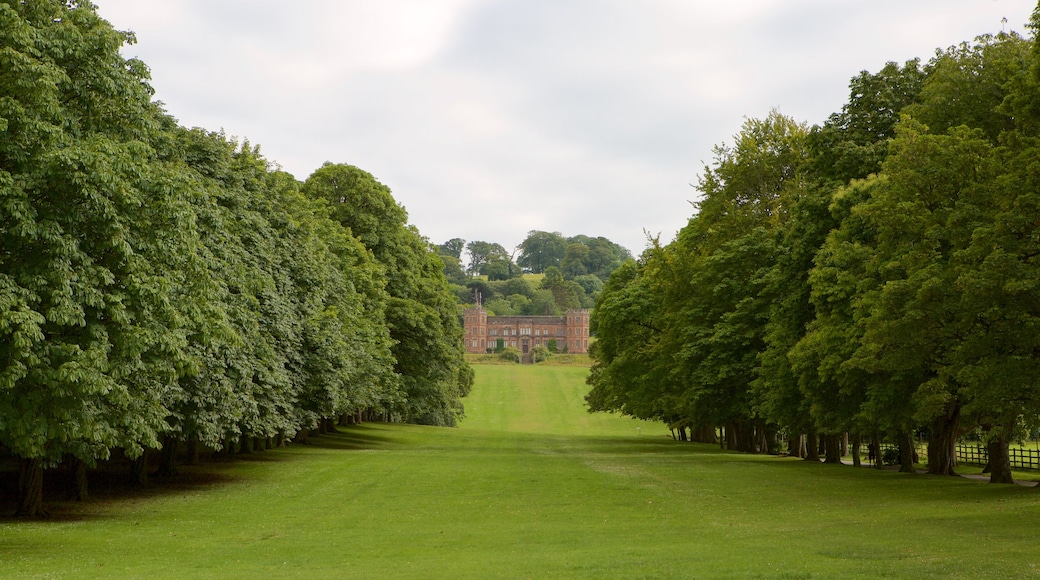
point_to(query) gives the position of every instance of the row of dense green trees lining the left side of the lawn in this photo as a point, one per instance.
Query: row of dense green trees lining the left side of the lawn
(164, 287)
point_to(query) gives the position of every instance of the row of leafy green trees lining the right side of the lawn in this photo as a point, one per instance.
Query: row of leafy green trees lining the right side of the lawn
(876, 276)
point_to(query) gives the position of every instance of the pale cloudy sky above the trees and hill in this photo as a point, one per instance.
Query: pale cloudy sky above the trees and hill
(489, 119)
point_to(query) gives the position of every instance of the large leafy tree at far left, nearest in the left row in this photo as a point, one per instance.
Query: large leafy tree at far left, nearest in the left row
(89, 340)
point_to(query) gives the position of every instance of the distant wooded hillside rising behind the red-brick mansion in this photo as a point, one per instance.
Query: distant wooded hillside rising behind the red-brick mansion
(575, 271)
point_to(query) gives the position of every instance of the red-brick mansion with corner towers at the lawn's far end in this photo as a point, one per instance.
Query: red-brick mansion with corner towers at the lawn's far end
(483, 333)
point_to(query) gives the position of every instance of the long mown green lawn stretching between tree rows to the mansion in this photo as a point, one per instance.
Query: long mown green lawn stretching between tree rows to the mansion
(531, 486)
